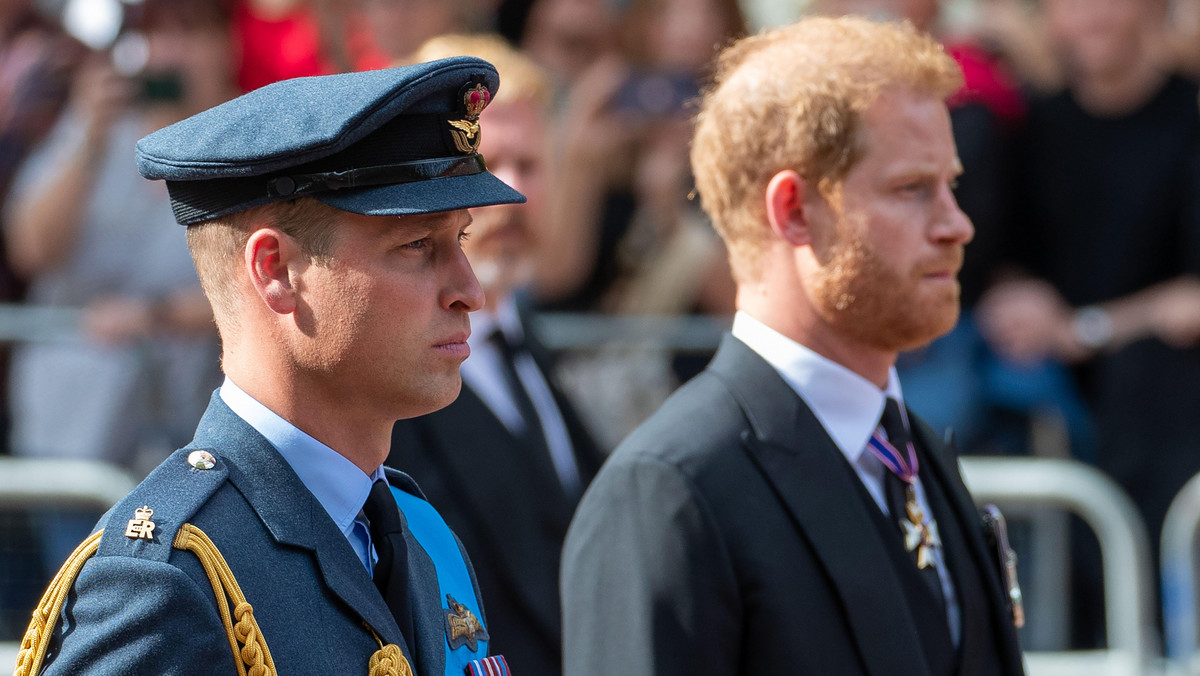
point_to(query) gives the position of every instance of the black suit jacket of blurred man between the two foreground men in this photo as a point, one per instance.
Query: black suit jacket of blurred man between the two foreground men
(508, 507)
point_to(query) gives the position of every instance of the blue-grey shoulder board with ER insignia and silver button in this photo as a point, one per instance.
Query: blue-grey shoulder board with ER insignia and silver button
(145, 524)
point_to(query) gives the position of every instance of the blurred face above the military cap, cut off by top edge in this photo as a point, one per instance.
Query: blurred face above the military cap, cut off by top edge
(400, 27)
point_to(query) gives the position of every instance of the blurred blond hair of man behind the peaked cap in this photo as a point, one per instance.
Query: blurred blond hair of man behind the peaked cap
(521, 79)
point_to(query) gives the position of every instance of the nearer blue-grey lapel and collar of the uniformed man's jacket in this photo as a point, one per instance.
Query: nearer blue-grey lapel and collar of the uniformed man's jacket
(292, 515)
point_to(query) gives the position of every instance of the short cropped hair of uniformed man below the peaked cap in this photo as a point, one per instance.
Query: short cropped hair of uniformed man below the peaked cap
(218, 247)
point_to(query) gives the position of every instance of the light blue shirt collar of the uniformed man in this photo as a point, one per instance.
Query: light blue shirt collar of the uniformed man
(338, 484)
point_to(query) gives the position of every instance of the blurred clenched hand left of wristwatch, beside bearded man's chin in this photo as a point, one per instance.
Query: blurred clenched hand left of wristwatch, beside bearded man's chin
(1028, 321)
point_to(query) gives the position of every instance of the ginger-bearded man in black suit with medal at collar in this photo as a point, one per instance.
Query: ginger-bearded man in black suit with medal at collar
(784, 513)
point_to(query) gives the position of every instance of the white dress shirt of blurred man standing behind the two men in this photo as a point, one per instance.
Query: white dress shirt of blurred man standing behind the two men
(484, 373)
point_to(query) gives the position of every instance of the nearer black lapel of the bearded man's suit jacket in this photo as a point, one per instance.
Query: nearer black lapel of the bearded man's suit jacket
(814, 482)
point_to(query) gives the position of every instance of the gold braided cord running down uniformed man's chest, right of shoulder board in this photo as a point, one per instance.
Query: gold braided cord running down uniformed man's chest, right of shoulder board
(245, 639)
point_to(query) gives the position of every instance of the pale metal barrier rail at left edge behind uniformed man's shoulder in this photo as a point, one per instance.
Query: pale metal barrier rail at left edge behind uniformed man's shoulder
(80, 484)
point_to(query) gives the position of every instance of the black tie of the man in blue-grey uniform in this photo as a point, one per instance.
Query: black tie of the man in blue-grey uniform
(392, 571)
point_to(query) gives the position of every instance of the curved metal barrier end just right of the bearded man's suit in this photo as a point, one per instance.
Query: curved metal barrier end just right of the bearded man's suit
(1027, 486)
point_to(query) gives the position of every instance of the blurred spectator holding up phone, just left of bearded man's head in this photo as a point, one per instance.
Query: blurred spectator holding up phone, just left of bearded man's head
(631, 241)
